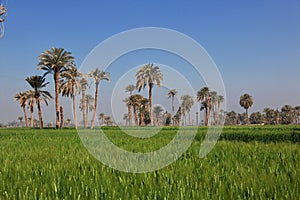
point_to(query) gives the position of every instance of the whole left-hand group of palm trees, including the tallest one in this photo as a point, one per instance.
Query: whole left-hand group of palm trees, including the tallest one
(68, 81)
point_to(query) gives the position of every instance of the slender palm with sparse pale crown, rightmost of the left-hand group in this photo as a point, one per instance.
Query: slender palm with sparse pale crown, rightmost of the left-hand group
(97, 76)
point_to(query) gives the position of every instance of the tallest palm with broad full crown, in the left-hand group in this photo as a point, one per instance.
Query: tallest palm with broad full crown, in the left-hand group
(56, 61)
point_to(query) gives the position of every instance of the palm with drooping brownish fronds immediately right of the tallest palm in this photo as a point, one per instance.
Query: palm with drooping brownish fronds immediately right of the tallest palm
(69, 86)
